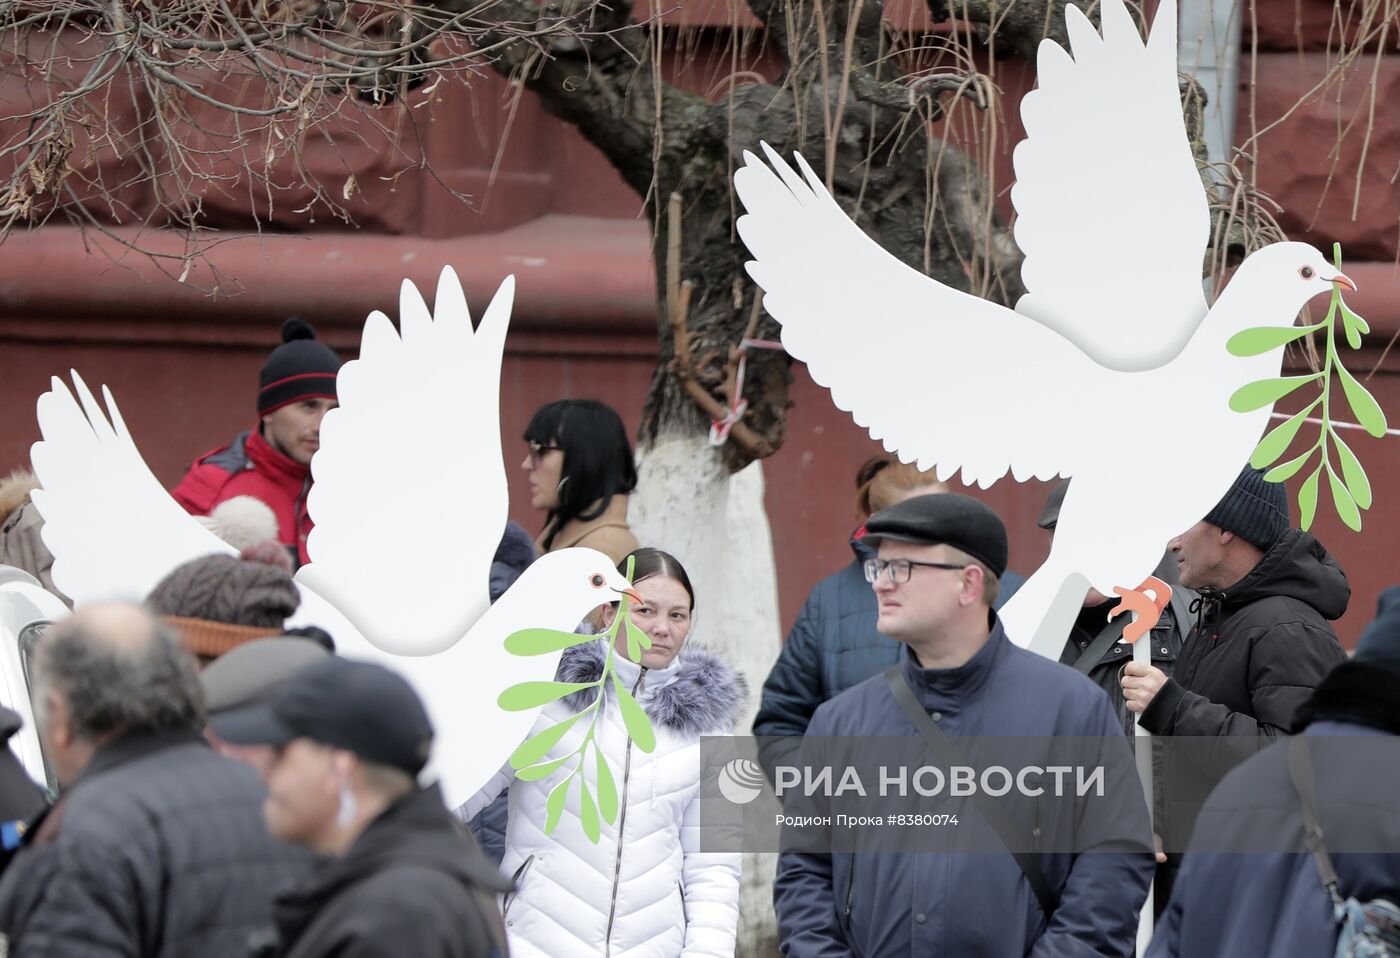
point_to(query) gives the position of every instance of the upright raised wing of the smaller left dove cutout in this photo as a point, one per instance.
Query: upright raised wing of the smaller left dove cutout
(409, 499)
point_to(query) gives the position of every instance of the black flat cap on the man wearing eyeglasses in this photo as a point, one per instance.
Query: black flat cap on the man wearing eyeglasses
(944, 519)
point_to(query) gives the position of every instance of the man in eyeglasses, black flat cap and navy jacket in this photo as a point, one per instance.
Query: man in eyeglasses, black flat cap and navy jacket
(936, 578)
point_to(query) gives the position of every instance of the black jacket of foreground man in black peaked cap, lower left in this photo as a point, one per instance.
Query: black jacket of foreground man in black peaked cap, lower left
(412, 884)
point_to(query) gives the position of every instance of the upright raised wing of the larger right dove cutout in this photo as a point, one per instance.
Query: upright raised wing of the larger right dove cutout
(1112, 216)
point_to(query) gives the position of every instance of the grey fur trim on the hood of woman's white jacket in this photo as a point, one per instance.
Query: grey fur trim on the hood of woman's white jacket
(698, 694)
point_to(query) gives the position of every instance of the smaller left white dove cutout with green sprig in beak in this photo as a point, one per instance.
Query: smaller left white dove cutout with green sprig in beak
(407, 588)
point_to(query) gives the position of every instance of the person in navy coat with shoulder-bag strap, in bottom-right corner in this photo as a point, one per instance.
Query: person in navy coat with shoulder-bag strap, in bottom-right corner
(1272, 904)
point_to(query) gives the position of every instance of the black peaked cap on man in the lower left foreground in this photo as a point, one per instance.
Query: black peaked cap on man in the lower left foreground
(358, 707)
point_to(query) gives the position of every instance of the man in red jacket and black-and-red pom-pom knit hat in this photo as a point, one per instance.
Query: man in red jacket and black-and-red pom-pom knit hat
(274, 461)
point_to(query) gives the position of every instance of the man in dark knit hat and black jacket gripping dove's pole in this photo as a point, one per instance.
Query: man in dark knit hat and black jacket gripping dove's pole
(1261, 645)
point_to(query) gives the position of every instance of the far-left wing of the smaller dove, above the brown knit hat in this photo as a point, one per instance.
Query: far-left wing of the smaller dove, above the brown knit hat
(113, 529)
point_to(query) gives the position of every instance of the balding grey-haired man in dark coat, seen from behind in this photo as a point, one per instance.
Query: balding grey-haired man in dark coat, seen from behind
(156, 847)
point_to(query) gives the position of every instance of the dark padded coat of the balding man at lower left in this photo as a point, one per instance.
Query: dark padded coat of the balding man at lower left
(159, 849)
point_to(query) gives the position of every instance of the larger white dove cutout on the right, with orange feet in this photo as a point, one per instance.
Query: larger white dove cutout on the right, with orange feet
(1111, 347)
